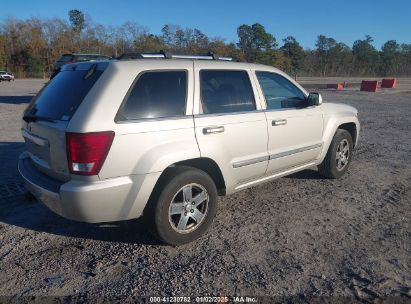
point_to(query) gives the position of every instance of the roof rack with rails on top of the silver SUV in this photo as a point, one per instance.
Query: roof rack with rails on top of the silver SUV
(168, 55)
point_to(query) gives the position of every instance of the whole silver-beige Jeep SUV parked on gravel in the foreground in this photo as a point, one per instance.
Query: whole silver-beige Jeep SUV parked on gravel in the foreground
(163, 136)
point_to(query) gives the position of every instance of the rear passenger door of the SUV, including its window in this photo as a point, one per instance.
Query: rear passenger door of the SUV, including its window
(230, 125)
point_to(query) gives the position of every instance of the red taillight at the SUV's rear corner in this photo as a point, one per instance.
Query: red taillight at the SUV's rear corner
(86, 152)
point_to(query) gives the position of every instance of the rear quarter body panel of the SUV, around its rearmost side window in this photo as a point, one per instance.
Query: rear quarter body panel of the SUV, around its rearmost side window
(139, 146)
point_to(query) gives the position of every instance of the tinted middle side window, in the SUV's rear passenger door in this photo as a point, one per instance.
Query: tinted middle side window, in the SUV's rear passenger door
(226, 91)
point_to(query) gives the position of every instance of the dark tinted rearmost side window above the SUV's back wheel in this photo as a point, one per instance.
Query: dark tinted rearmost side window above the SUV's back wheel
(155, 95)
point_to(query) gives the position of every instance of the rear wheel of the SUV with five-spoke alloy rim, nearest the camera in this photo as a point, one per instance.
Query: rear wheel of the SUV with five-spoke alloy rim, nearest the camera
(173, 214)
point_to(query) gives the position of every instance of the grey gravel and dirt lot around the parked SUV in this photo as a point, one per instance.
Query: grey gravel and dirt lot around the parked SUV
(300, 237)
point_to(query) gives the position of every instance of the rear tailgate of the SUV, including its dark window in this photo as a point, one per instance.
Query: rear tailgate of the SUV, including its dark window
(48, 115)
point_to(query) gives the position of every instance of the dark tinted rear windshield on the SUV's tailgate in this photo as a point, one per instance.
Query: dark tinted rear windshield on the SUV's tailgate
(61, 97)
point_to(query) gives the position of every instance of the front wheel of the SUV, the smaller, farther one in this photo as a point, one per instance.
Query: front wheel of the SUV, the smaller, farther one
(338, 159)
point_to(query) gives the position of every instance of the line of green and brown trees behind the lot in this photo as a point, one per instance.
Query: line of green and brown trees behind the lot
(30, 47)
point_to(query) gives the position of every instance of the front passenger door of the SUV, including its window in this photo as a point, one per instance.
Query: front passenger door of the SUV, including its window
(295, 128)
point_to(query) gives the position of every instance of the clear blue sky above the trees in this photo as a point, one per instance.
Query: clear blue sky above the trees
(345, 21)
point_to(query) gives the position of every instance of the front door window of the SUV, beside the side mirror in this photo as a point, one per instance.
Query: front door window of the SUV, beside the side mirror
(279, 92)
